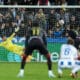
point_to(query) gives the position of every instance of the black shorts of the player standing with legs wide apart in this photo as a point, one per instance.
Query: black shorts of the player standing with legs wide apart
(36, 44)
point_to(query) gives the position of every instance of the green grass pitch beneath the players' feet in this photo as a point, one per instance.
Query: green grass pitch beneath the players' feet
(33, 71)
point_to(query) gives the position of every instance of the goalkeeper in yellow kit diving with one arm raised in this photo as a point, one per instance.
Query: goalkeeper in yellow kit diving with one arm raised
(7, 44)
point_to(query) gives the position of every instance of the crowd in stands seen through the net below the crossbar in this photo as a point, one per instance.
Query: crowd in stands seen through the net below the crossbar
(48, 20)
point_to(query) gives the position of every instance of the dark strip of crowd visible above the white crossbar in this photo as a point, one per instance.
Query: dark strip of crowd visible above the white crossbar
(40, 2)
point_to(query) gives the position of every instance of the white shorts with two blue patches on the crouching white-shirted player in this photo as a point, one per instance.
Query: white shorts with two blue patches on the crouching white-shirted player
(66, 63)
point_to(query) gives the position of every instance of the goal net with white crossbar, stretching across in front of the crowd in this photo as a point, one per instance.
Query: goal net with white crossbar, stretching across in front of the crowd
(55, 20)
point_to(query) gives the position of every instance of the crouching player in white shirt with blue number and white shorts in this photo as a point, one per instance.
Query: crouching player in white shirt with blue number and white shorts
(68, 54)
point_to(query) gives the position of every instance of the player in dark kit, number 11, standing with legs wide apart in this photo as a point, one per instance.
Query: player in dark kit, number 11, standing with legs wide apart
(35, 40)
